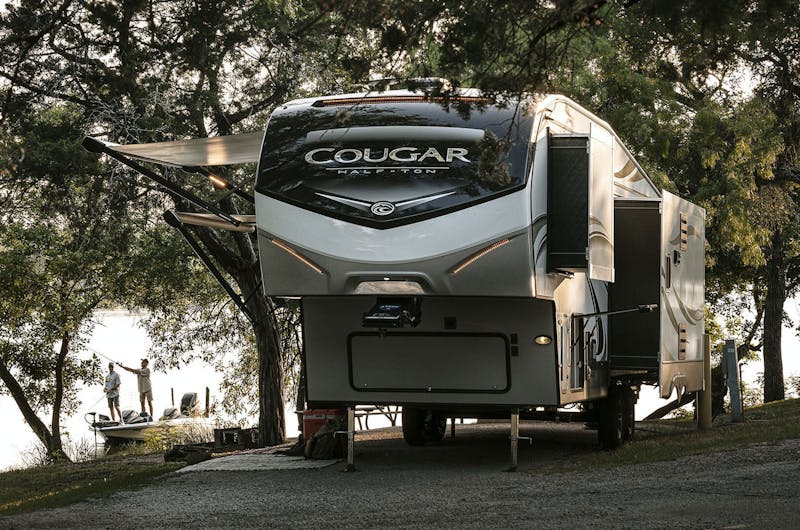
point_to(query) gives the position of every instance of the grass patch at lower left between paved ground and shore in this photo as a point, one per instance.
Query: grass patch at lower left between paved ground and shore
(55, 485)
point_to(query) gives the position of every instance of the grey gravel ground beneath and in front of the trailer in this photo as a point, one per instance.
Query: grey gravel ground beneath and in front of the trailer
(462, 483)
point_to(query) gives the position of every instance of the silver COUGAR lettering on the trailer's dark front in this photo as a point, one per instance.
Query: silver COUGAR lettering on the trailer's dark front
(322, 155)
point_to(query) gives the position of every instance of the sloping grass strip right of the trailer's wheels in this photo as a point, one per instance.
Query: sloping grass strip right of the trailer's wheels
(672, 439)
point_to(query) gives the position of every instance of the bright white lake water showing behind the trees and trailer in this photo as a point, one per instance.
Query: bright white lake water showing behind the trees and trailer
(119, 337)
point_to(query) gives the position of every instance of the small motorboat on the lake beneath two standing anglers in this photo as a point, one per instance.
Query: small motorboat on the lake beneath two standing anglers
(175, 424)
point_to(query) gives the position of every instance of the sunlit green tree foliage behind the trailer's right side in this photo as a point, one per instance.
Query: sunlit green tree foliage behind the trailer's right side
(700, 92)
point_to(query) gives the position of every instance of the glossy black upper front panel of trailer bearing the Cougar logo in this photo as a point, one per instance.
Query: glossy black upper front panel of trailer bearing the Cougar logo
(388, 164)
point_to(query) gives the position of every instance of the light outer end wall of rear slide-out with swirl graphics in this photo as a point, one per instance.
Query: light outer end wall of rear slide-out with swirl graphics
(682, 295)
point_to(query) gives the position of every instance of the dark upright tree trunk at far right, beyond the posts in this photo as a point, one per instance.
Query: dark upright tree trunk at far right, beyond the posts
(773, 319)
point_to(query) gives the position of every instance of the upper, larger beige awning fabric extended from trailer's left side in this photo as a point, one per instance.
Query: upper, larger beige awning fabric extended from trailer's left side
(213, 151)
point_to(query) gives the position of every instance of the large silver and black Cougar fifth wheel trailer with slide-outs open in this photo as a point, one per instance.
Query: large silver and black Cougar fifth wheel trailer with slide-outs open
(470, 256)
